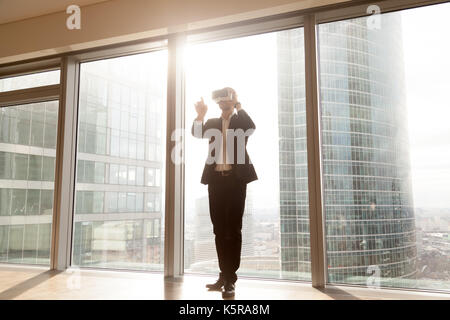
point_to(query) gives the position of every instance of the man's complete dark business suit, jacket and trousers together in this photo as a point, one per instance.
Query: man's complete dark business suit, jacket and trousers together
(227, 195)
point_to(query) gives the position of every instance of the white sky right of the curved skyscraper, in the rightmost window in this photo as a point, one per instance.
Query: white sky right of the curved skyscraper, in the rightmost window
(427, 72)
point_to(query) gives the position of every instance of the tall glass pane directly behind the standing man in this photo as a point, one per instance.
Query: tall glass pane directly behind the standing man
(267, 72)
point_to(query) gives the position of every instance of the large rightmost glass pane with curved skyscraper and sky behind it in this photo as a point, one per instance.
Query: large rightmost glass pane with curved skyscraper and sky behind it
(386, 165)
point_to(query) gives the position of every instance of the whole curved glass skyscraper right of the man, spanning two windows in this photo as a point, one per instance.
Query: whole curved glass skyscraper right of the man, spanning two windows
(368, 209)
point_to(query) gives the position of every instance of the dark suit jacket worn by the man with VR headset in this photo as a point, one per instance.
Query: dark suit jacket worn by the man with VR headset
(245, 172)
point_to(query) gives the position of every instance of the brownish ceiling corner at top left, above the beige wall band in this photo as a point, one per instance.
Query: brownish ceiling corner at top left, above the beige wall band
(14, 10)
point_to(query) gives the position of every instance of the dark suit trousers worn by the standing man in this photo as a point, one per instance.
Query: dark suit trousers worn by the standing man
(226, 207)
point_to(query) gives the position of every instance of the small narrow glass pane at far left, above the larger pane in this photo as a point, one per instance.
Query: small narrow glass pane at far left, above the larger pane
(30, 80)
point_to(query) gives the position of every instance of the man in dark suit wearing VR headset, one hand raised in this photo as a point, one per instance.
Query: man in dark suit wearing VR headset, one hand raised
(226, 173)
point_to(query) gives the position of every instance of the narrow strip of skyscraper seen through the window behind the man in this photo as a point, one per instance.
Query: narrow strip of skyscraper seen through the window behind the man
(294, 209)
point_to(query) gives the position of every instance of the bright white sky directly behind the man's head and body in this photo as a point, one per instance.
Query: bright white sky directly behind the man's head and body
(249, 65)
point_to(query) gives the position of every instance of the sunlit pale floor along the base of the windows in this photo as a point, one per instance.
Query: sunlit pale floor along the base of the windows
(39, 283)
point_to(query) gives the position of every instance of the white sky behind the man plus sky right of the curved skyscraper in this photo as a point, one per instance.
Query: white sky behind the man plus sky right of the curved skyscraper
(249, 66)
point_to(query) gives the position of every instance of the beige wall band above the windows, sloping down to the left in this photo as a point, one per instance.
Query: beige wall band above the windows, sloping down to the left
(118, 21)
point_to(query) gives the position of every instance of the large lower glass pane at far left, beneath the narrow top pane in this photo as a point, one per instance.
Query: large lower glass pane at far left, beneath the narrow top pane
(27, 173)
